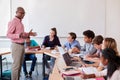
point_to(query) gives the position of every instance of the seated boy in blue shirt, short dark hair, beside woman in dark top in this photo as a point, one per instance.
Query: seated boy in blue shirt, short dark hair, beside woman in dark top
(72, 46)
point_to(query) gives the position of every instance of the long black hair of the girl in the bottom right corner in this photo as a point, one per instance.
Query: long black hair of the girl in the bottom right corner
(113, 61)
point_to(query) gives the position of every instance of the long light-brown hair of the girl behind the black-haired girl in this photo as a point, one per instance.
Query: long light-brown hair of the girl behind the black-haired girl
(111, 43)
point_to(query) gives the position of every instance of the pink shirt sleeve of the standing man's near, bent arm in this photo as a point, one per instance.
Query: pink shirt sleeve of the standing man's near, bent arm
(11, 31)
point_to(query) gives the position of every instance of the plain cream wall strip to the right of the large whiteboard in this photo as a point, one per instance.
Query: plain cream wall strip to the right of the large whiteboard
(113, 20)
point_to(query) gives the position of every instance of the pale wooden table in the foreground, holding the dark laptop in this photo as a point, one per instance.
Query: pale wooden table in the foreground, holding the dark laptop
(58, 67)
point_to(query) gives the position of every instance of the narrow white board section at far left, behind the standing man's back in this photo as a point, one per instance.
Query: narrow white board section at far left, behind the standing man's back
(4, 16)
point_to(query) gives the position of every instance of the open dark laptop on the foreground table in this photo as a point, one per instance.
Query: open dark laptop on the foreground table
(69, 62)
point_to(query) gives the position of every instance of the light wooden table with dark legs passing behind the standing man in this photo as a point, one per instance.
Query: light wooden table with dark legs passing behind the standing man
(4, 51)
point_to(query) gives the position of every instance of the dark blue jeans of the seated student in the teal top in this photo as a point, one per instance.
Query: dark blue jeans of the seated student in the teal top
(28, 57)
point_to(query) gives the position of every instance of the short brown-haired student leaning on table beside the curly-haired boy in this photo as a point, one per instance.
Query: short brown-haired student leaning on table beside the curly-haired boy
(97, 41)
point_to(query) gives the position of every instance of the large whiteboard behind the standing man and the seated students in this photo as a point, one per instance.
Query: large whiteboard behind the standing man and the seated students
(66, 15)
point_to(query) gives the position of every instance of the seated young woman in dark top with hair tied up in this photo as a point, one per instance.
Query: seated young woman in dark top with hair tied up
(51, 41)
